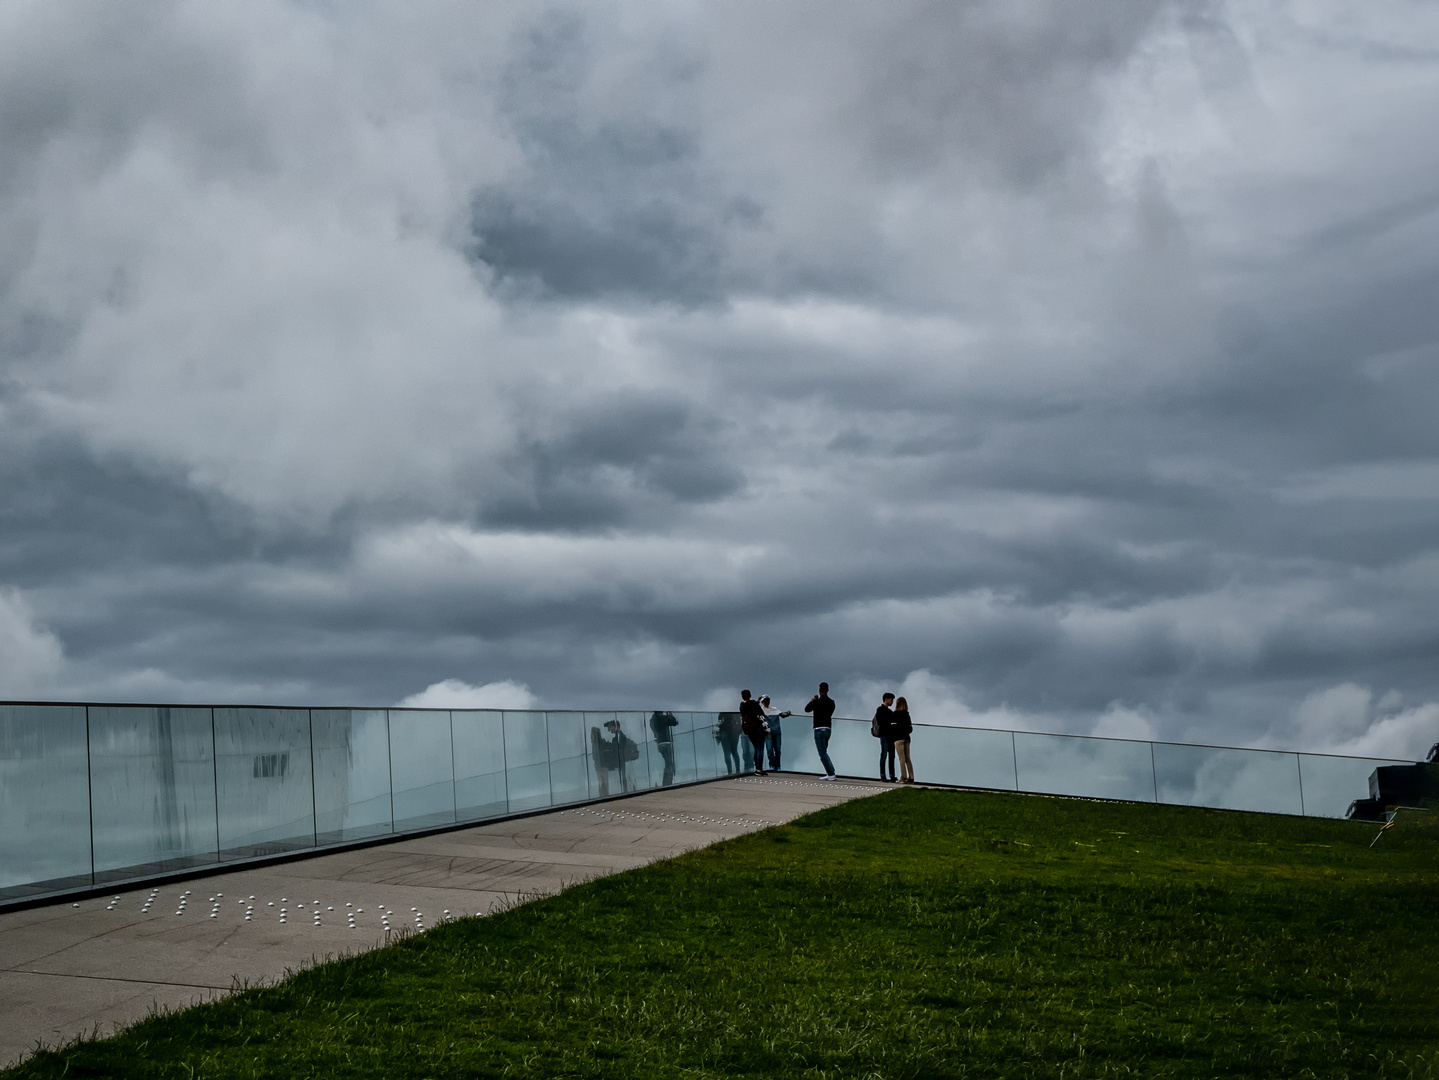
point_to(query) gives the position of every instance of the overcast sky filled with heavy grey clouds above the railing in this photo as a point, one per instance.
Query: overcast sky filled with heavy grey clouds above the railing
(1066, 366)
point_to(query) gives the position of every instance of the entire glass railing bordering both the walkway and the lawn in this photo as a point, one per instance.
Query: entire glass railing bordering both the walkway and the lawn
(103, 795)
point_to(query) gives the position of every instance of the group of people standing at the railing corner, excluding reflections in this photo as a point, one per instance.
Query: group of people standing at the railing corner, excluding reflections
(759, 721)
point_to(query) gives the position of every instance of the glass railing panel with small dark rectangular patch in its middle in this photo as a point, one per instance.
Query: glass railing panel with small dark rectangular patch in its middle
(264, 779)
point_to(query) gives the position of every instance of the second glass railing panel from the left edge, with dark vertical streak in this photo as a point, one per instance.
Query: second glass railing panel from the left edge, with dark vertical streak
(152, 790)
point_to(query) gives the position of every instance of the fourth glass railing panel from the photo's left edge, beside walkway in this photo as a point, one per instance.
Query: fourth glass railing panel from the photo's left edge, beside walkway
(352, 774)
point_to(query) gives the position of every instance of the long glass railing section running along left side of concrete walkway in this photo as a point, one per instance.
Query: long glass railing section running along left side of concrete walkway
(106, 795)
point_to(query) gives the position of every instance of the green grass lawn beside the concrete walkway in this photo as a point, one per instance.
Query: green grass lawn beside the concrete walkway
(917, 934)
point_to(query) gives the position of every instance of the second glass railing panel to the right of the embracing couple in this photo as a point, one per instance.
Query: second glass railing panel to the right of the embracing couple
(1080, 766)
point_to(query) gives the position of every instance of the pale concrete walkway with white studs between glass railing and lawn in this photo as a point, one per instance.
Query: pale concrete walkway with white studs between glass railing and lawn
(74, 969)
